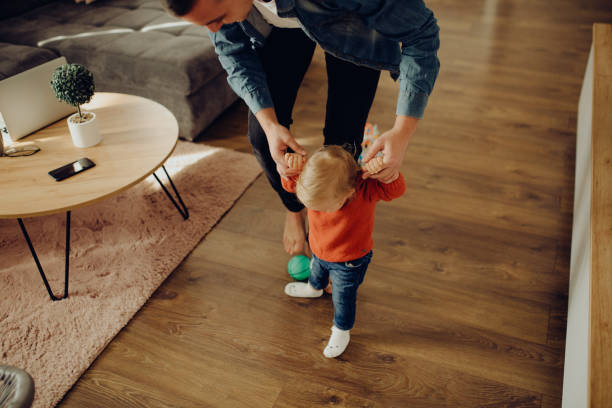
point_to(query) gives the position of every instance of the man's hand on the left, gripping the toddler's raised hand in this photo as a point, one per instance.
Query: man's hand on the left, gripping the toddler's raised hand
(279, 139)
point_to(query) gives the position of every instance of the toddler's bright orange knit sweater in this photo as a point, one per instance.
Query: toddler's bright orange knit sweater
(346, 234)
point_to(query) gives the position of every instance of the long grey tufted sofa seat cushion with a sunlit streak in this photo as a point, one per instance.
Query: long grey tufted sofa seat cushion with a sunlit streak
(109, 36)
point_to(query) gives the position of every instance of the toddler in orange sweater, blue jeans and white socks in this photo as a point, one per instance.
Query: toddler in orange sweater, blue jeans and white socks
(341, 208)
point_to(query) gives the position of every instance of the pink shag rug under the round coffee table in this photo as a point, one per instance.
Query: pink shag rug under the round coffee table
(122, 249)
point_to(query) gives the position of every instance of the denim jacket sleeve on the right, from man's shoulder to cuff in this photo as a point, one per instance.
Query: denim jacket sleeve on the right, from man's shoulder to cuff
(413, 25)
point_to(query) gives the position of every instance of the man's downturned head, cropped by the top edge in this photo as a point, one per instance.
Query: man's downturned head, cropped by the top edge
(210, 13)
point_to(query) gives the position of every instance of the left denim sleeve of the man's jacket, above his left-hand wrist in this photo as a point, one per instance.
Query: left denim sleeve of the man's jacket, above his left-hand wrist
(245, 73)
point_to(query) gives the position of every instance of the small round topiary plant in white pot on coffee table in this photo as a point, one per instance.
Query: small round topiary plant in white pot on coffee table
(74, 84)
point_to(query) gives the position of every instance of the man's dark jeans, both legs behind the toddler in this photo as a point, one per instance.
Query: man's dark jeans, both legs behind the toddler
(285, 57)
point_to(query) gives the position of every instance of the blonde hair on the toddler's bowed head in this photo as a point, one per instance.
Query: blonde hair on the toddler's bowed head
(330, 173)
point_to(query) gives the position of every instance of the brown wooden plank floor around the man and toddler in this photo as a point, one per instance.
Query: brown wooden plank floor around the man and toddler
(465, 300)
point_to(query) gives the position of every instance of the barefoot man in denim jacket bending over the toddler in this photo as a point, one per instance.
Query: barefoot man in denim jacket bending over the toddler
(266, 47)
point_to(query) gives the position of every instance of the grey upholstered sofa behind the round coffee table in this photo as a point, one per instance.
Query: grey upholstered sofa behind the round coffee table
(130, 46)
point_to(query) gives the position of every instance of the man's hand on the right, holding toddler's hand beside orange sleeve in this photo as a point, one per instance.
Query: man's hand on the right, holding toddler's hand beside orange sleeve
(393, 143)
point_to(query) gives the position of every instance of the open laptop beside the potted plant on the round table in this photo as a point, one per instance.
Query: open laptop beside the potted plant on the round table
(27, 102)
